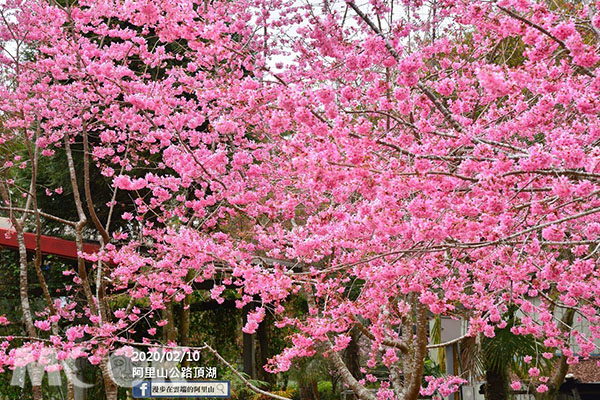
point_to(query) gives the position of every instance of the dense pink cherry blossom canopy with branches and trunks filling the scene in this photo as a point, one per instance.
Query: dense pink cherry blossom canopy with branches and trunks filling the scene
(397, 160)
